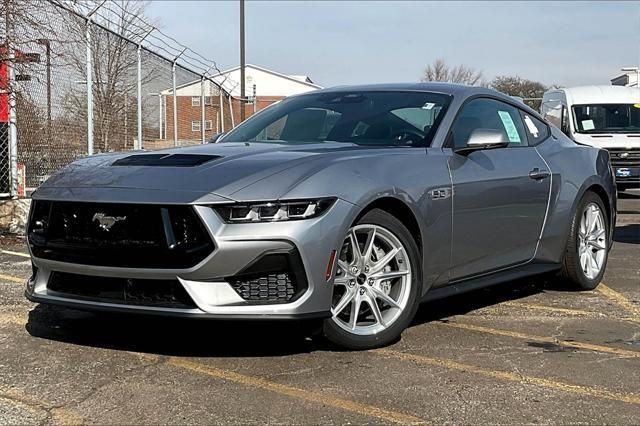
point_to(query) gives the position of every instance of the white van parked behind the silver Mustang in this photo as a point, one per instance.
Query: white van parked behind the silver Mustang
(602, 116)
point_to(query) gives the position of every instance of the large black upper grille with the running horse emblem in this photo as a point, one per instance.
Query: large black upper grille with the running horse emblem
(120, 235)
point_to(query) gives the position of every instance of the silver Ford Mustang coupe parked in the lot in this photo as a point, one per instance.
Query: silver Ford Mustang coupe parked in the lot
(352, 204)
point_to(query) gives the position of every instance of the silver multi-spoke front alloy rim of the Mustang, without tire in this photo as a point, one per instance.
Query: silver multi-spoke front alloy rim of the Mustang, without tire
(372, 282)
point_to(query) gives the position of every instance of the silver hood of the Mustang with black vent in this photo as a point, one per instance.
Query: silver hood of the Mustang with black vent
(225, 169)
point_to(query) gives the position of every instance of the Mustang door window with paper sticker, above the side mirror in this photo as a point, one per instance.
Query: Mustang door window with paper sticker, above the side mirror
(485, 113)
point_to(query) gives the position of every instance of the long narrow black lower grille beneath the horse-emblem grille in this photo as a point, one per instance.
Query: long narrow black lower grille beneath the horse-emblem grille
(126, 291)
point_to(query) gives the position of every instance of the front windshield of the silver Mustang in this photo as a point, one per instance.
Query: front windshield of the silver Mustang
(363, 118)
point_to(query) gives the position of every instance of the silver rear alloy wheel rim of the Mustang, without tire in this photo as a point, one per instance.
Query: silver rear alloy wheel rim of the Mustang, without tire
(592, 241)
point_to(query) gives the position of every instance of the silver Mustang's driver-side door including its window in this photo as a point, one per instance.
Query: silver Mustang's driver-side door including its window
(500, 195)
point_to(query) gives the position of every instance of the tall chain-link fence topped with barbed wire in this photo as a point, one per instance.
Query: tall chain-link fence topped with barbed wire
(95, 76)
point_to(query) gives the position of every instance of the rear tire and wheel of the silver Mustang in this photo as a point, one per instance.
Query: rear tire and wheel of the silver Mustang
(577, 272)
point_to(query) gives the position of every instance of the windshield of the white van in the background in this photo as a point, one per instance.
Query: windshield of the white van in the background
(607, 118)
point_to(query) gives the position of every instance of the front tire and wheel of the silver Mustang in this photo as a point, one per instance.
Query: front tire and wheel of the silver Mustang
(362, 281)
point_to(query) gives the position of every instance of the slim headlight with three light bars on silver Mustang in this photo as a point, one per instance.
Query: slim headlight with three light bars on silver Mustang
(273, 211)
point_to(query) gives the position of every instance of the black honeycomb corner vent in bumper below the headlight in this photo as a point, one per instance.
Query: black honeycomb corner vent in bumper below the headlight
(276, 277)
